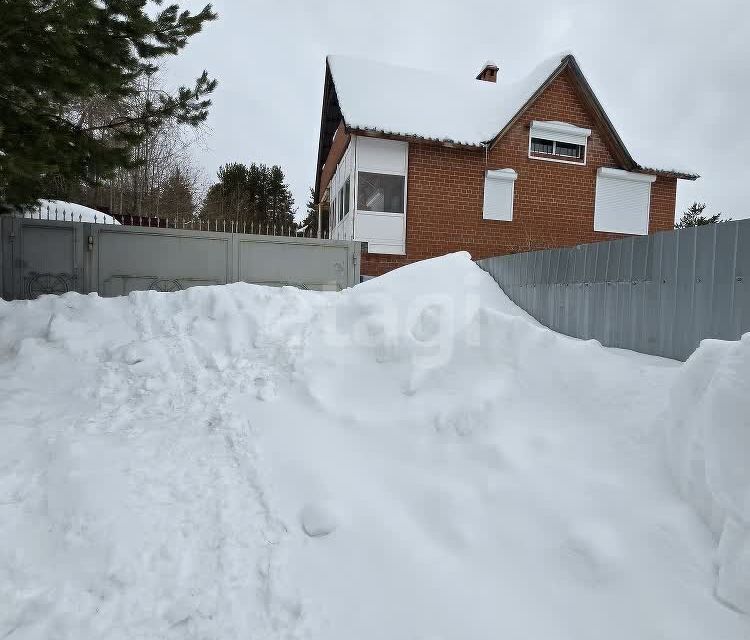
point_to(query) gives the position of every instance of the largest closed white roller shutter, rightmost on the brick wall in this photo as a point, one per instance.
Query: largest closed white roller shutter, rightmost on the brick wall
(622, 201)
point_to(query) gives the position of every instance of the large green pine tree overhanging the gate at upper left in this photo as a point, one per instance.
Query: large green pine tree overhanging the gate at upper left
(74, 88)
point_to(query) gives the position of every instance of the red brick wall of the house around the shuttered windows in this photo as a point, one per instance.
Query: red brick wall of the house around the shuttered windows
(553, 203)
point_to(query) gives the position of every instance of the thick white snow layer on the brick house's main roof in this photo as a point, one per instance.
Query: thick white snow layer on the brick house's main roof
(403, 101)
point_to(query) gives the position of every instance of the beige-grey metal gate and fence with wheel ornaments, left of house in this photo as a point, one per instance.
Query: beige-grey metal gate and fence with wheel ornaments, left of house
(55, 256)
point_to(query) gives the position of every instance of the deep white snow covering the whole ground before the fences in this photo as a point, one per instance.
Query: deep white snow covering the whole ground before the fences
(410, 459)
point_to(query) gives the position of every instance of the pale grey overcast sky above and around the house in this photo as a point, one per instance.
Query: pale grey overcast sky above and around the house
(674, 76)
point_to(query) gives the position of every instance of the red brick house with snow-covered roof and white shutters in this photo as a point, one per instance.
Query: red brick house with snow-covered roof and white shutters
(419, 165)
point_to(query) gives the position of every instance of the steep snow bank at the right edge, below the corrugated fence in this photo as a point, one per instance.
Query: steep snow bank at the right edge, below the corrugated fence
(709, 446)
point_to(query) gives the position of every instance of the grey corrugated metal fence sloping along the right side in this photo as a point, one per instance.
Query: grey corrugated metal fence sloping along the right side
(660, 294)
